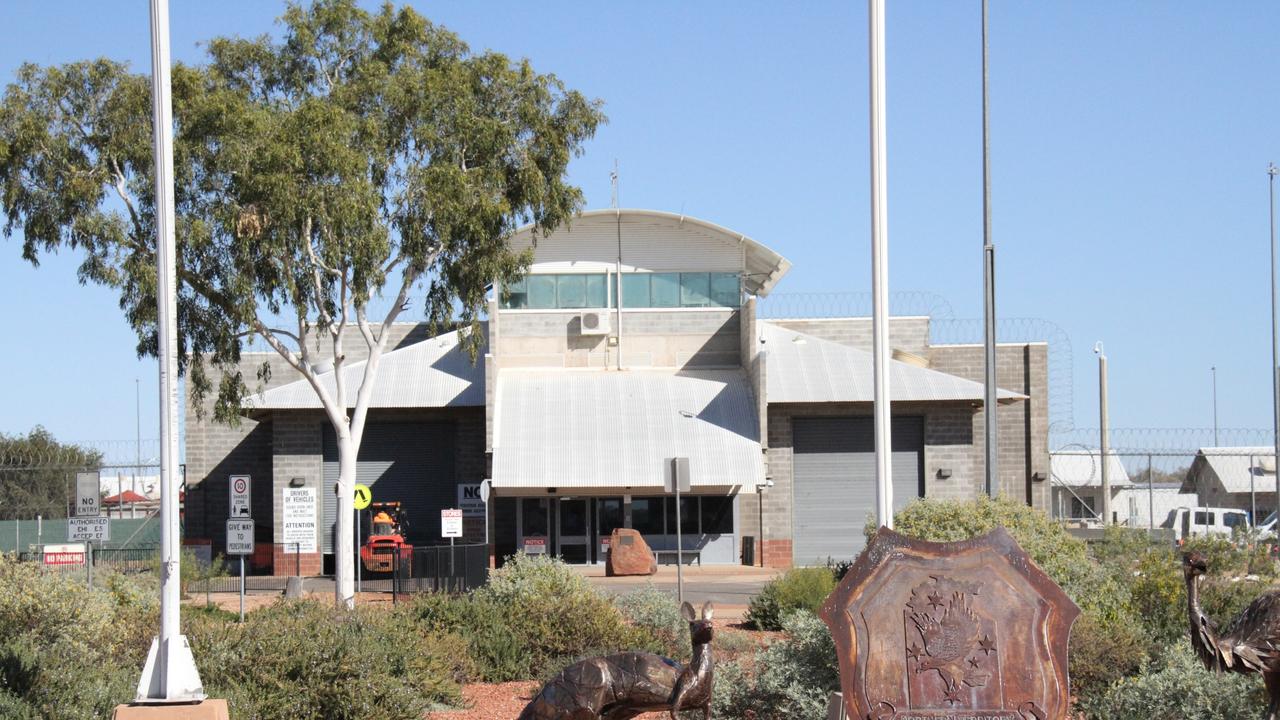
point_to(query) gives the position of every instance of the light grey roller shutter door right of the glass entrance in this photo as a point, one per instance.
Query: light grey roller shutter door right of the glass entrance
(834, 464)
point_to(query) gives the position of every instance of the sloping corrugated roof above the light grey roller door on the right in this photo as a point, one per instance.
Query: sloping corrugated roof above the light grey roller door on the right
(803, 368)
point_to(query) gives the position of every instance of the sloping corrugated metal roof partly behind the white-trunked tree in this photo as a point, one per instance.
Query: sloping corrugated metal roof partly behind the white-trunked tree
(432, 373)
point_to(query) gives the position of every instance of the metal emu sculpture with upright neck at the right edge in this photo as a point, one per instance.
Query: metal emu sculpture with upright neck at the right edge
(1250, 645)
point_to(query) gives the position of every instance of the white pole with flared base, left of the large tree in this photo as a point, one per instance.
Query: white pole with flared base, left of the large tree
(170, 675)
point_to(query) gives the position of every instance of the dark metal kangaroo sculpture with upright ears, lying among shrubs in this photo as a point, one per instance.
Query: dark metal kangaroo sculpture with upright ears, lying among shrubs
(620, 687)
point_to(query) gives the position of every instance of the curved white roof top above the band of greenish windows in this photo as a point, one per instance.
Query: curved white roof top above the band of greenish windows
(659, 241)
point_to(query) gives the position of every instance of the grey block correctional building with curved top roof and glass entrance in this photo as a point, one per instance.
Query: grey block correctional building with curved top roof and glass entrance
(636, 338)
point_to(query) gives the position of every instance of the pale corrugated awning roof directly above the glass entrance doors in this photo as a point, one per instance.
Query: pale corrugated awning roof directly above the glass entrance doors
(607, 429)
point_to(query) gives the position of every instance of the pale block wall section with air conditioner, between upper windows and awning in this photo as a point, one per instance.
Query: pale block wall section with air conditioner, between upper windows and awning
(653, 339)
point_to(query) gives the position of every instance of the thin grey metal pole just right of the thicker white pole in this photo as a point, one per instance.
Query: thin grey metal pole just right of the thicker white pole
(989, 289)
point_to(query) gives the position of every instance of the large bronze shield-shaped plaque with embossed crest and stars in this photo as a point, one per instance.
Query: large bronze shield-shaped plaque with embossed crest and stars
(964, 631)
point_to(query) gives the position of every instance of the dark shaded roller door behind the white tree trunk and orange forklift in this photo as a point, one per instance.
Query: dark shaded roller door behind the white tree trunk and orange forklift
(410, 463)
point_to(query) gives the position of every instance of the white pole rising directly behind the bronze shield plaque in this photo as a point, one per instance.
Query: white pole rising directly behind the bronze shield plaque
(880, 267)
